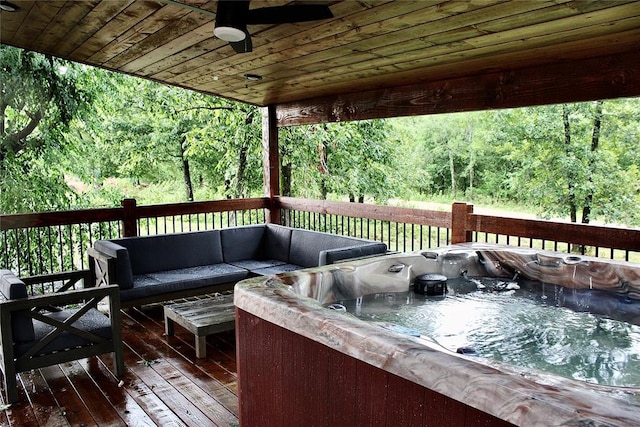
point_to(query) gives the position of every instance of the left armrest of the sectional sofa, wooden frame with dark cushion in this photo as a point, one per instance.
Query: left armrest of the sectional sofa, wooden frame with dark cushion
(110, 264)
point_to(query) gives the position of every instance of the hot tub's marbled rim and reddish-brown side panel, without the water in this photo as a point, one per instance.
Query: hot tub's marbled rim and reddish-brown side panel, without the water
(300, 363)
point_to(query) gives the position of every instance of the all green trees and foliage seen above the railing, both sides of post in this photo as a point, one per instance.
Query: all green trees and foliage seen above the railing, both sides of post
(70, 132)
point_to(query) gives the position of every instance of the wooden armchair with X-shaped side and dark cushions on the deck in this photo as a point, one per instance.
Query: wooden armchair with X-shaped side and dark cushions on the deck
(35, 333)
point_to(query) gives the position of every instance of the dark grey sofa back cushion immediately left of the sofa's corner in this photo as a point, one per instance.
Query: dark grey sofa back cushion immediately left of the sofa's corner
(242, 243)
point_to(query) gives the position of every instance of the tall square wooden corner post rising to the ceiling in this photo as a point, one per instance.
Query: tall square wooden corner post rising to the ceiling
(271, 160)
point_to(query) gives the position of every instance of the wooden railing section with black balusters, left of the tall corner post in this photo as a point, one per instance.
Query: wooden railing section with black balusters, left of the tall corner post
(50, 242)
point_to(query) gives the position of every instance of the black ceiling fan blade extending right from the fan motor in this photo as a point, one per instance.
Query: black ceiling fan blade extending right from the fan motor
(288, 14)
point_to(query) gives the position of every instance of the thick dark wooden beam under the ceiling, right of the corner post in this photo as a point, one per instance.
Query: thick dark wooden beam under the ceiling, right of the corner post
(611, 76)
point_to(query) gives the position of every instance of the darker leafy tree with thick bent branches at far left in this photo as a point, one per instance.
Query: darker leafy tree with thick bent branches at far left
(38, 100)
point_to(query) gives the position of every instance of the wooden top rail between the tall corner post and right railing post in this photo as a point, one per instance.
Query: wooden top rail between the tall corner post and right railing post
(364, 210)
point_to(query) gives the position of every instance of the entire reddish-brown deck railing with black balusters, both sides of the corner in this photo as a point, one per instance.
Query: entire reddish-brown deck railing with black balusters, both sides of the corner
(50, 242)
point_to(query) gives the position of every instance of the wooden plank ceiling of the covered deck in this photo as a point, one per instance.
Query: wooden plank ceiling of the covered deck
(368, 45)
